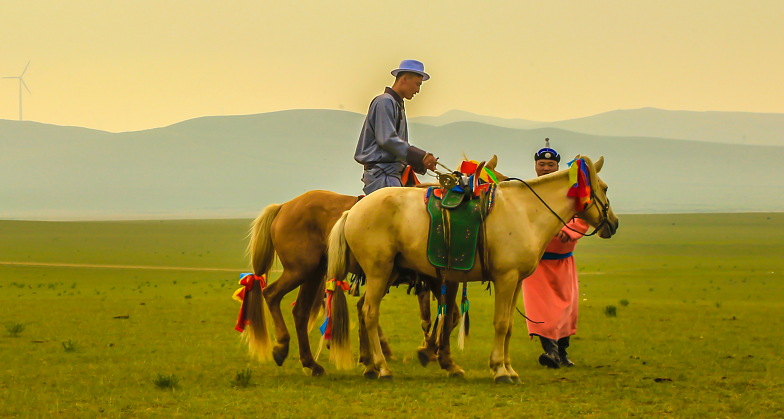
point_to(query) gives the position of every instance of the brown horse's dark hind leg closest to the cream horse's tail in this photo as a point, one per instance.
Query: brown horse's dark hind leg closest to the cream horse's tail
(308, 293)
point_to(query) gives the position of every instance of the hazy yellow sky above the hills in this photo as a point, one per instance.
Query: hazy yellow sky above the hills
(128, 65)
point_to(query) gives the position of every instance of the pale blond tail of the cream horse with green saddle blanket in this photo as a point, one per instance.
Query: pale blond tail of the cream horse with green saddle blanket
(337, 270)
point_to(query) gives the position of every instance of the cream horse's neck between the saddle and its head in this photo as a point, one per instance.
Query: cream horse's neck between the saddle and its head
(552, 189)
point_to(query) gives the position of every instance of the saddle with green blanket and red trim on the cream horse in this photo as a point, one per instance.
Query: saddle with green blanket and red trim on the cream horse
(457, 216)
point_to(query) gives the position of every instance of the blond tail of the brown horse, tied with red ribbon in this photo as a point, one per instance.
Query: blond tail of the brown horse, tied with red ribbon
(262, 254)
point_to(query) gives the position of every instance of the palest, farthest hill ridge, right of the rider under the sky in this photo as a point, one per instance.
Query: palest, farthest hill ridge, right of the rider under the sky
(716, 127)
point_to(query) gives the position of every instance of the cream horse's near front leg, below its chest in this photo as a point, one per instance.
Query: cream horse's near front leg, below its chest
(504, 295)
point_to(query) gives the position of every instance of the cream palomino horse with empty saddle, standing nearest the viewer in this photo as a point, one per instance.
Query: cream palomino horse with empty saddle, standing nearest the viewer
(390, 227)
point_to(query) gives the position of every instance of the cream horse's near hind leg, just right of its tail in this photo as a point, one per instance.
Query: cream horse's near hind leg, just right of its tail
(374, 293)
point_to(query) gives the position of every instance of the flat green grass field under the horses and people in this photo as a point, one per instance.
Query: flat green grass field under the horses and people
(705, 293)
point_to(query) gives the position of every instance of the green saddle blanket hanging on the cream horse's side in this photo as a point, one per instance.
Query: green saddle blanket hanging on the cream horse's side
(455, 224)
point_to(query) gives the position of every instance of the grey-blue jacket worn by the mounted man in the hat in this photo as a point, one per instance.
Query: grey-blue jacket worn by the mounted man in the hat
(383, 147)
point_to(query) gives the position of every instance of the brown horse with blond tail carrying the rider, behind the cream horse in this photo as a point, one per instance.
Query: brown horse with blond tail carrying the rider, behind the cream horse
(297, 231)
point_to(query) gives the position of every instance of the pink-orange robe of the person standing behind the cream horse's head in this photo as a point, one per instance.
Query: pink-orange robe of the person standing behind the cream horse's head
(551, 293)
